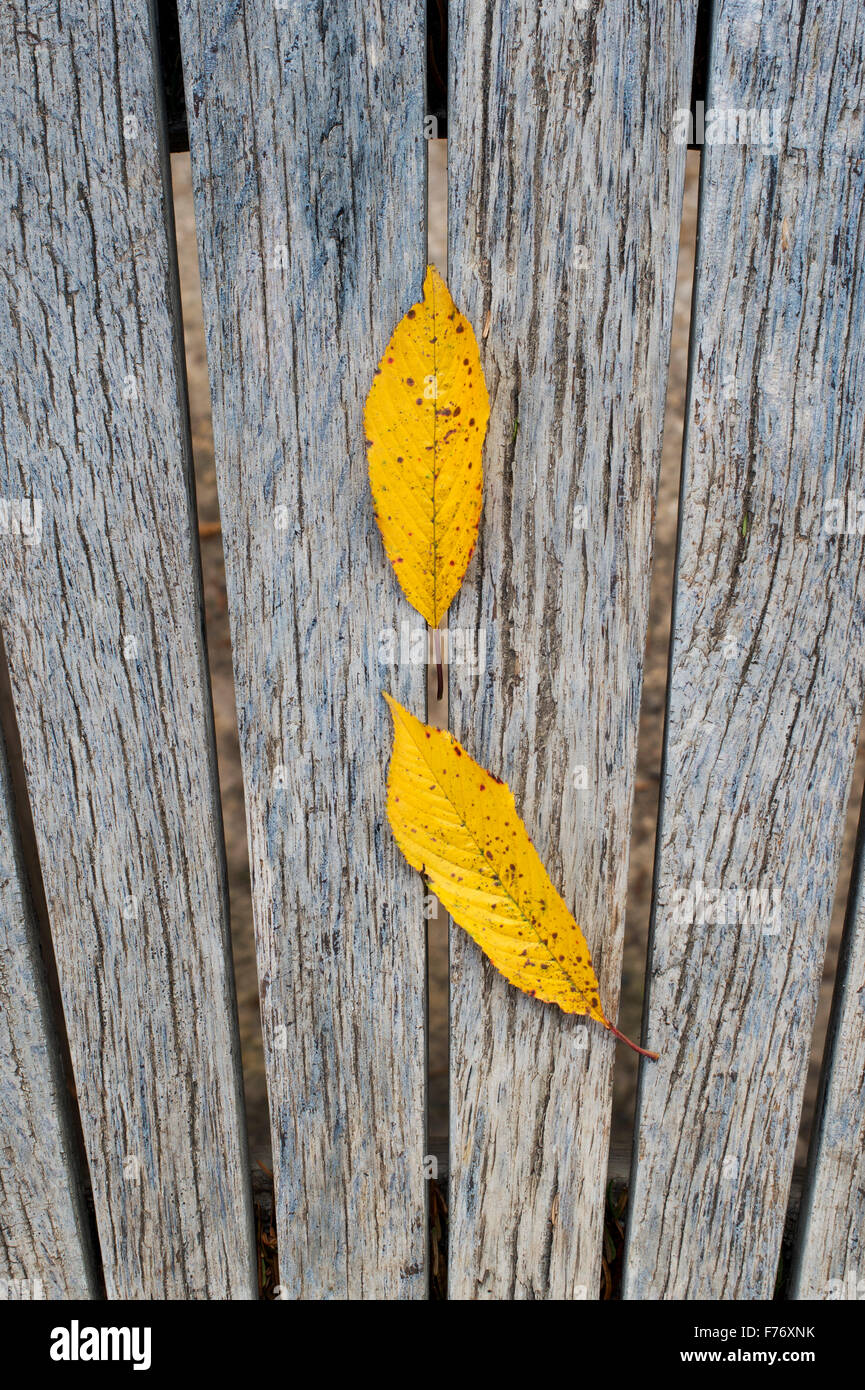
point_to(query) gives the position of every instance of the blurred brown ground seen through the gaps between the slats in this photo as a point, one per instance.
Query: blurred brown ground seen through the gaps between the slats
(652, 725)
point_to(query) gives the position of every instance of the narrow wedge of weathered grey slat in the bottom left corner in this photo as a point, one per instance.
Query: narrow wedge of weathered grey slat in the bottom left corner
(45, 1249)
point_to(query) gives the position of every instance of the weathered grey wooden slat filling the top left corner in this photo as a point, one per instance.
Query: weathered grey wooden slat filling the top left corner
(102, 621)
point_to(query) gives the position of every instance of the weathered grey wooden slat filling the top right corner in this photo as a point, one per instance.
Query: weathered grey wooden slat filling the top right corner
(767, 655)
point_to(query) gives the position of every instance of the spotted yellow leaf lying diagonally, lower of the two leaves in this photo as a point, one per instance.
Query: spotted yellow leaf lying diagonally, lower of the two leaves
(460, 826)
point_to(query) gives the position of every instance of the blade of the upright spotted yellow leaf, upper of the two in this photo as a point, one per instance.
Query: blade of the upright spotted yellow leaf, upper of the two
(426, 419)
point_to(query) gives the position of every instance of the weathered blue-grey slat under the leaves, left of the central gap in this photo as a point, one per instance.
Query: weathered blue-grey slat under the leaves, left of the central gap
(307, 136)
